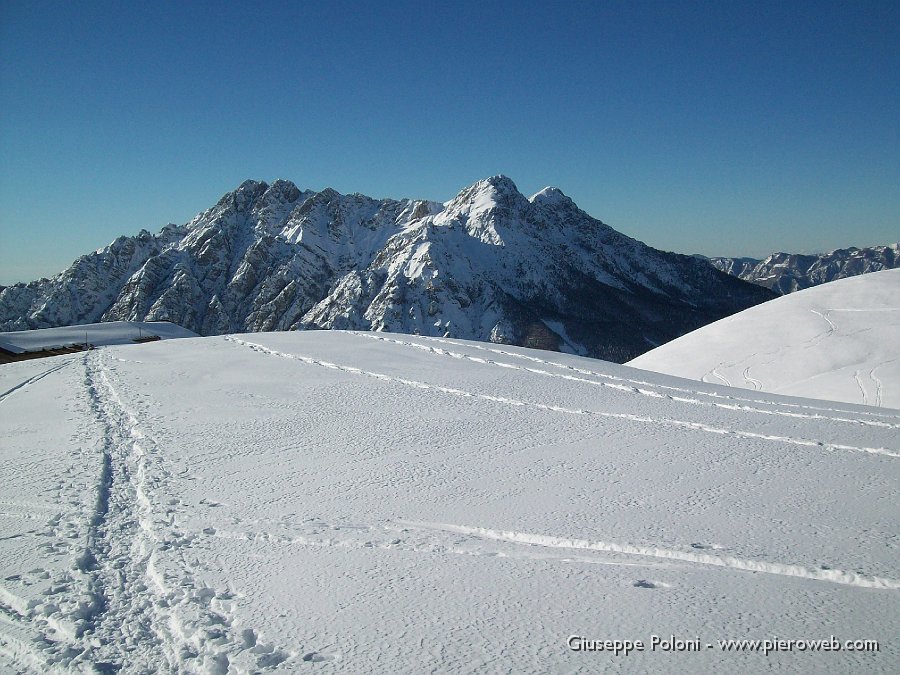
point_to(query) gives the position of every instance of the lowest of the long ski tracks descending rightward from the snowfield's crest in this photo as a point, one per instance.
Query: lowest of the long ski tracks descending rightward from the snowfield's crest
(697, 426)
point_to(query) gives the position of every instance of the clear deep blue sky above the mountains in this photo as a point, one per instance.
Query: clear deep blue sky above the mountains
(722, 128)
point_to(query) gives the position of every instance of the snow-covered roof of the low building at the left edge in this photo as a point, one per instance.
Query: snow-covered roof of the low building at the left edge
(97, 334)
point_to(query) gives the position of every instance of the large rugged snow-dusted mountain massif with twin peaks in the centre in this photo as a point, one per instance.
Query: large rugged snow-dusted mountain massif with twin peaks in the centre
(490, 264)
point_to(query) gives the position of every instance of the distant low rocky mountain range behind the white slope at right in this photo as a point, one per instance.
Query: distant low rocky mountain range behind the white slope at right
(789, 272)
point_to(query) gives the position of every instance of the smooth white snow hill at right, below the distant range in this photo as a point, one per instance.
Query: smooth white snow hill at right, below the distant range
(840, 341)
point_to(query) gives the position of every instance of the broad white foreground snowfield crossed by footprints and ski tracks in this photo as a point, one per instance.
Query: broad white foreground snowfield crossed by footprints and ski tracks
(369, 502)
